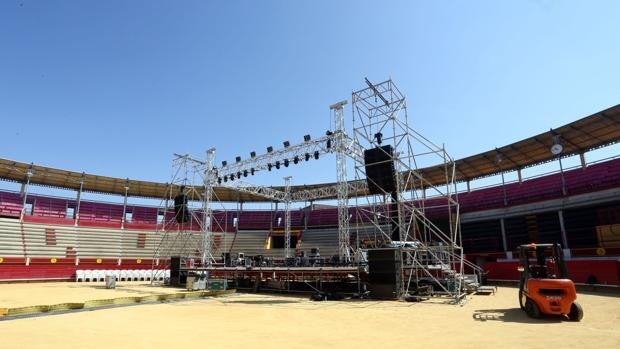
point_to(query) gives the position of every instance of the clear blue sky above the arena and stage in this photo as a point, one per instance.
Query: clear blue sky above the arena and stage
(115, 87)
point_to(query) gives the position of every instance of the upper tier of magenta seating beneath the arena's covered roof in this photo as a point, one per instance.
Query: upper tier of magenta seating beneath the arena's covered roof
(578, 181)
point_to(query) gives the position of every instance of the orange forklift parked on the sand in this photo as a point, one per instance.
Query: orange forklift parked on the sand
(544, 286)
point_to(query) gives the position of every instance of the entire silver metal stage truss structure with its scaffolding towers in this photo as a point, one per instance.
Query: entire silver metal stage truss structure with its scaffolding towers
(400, 218)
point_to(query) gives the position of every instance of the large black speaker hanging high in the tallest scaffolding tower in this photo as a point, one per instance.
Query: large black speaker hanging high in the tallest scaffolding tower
(380, 172)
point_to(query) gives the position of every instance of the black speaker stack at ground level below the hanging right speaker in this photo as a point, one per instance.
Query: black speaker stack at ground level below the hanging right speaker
(384, 273)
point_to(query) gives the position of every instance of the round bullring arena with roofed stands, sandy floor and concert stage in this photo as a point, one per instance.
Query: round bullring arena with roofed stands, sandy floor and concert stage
(401, 250)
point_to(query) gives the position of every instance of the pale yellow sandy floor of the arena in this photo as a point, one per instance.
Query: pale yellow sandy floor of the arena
(268, 321)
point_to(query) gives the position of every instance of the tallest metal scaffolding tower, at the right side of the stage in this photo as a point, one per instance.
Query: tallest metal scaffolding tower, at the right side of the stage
(399, 214)
